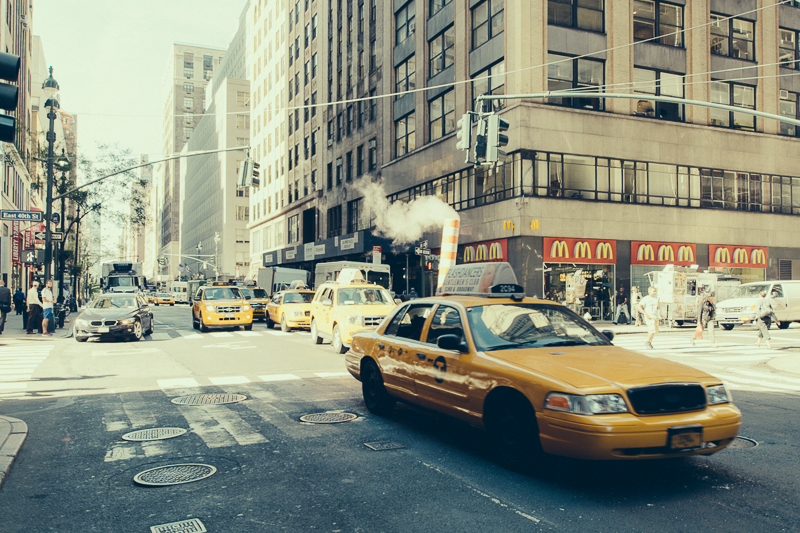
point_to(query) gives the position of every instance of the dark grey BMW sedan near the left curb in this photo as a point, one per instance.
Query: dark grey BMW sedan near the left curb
(115, 315)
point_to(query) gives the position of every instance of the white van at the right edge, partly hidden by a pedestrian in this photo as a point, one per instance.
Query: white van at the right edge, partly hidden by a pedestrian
(740, 307)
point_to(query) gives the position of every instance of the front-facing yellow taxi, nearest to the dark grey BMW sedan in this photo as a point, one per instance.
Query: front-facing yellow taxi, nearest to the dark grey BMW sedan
(220, 305)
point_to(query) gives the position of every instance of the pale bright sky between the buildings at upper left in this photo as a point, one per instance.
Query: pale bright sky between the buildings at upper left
(110, 59)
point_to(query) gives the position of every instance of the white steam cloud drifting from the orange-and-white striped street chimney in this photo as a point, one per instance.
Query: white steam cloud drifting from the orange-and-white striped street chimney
(405, 222)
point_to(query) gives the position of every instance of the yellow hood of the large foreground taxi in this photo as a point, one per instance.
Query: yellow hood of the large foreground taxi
(598, 367)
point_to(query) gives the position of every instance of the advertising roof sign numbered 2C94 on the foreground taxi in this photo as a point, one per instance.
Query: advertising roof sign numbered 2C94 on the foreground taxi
(483, 279)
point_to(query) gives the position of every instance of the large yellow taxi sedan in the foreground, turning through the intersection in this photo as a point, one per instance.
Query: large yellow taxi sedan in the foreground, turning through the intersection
(537, 376)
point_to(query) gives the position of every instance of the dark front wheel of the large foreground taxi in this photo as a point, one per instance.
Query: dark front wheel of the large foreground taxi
(511, 422)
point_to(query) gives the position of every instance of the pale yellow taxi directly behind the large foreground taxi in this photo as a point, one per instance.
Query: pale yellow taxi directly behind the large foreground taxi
(347, 306)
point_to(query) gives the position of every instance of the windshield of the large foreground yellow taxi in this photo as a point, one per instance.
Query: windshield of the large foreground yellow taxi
(508, 326)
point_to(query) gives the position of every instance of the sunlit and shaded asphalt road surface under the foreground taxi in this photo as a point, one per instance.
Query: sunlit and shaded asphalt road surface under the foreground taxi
(277, 473)
